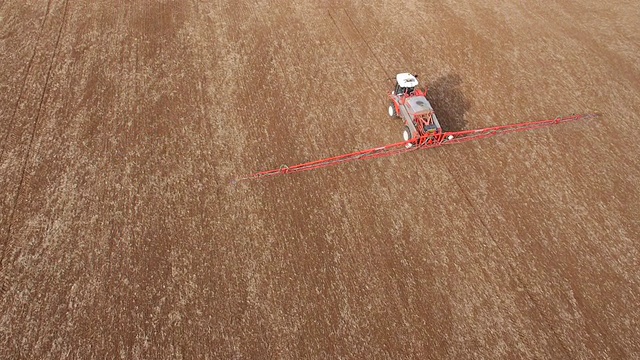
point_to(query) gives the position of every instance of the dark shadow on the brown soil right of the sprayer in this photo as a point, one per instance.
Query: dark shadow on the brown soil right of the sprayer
(448, 102)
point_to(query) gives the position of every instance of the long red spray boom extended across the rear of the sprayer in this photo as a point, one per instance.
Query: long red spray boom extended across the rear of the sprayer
(424, 142)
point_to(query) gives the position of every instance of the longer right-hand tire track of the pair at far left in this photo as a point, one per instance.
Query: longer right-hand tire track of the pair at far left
(7, 243)
